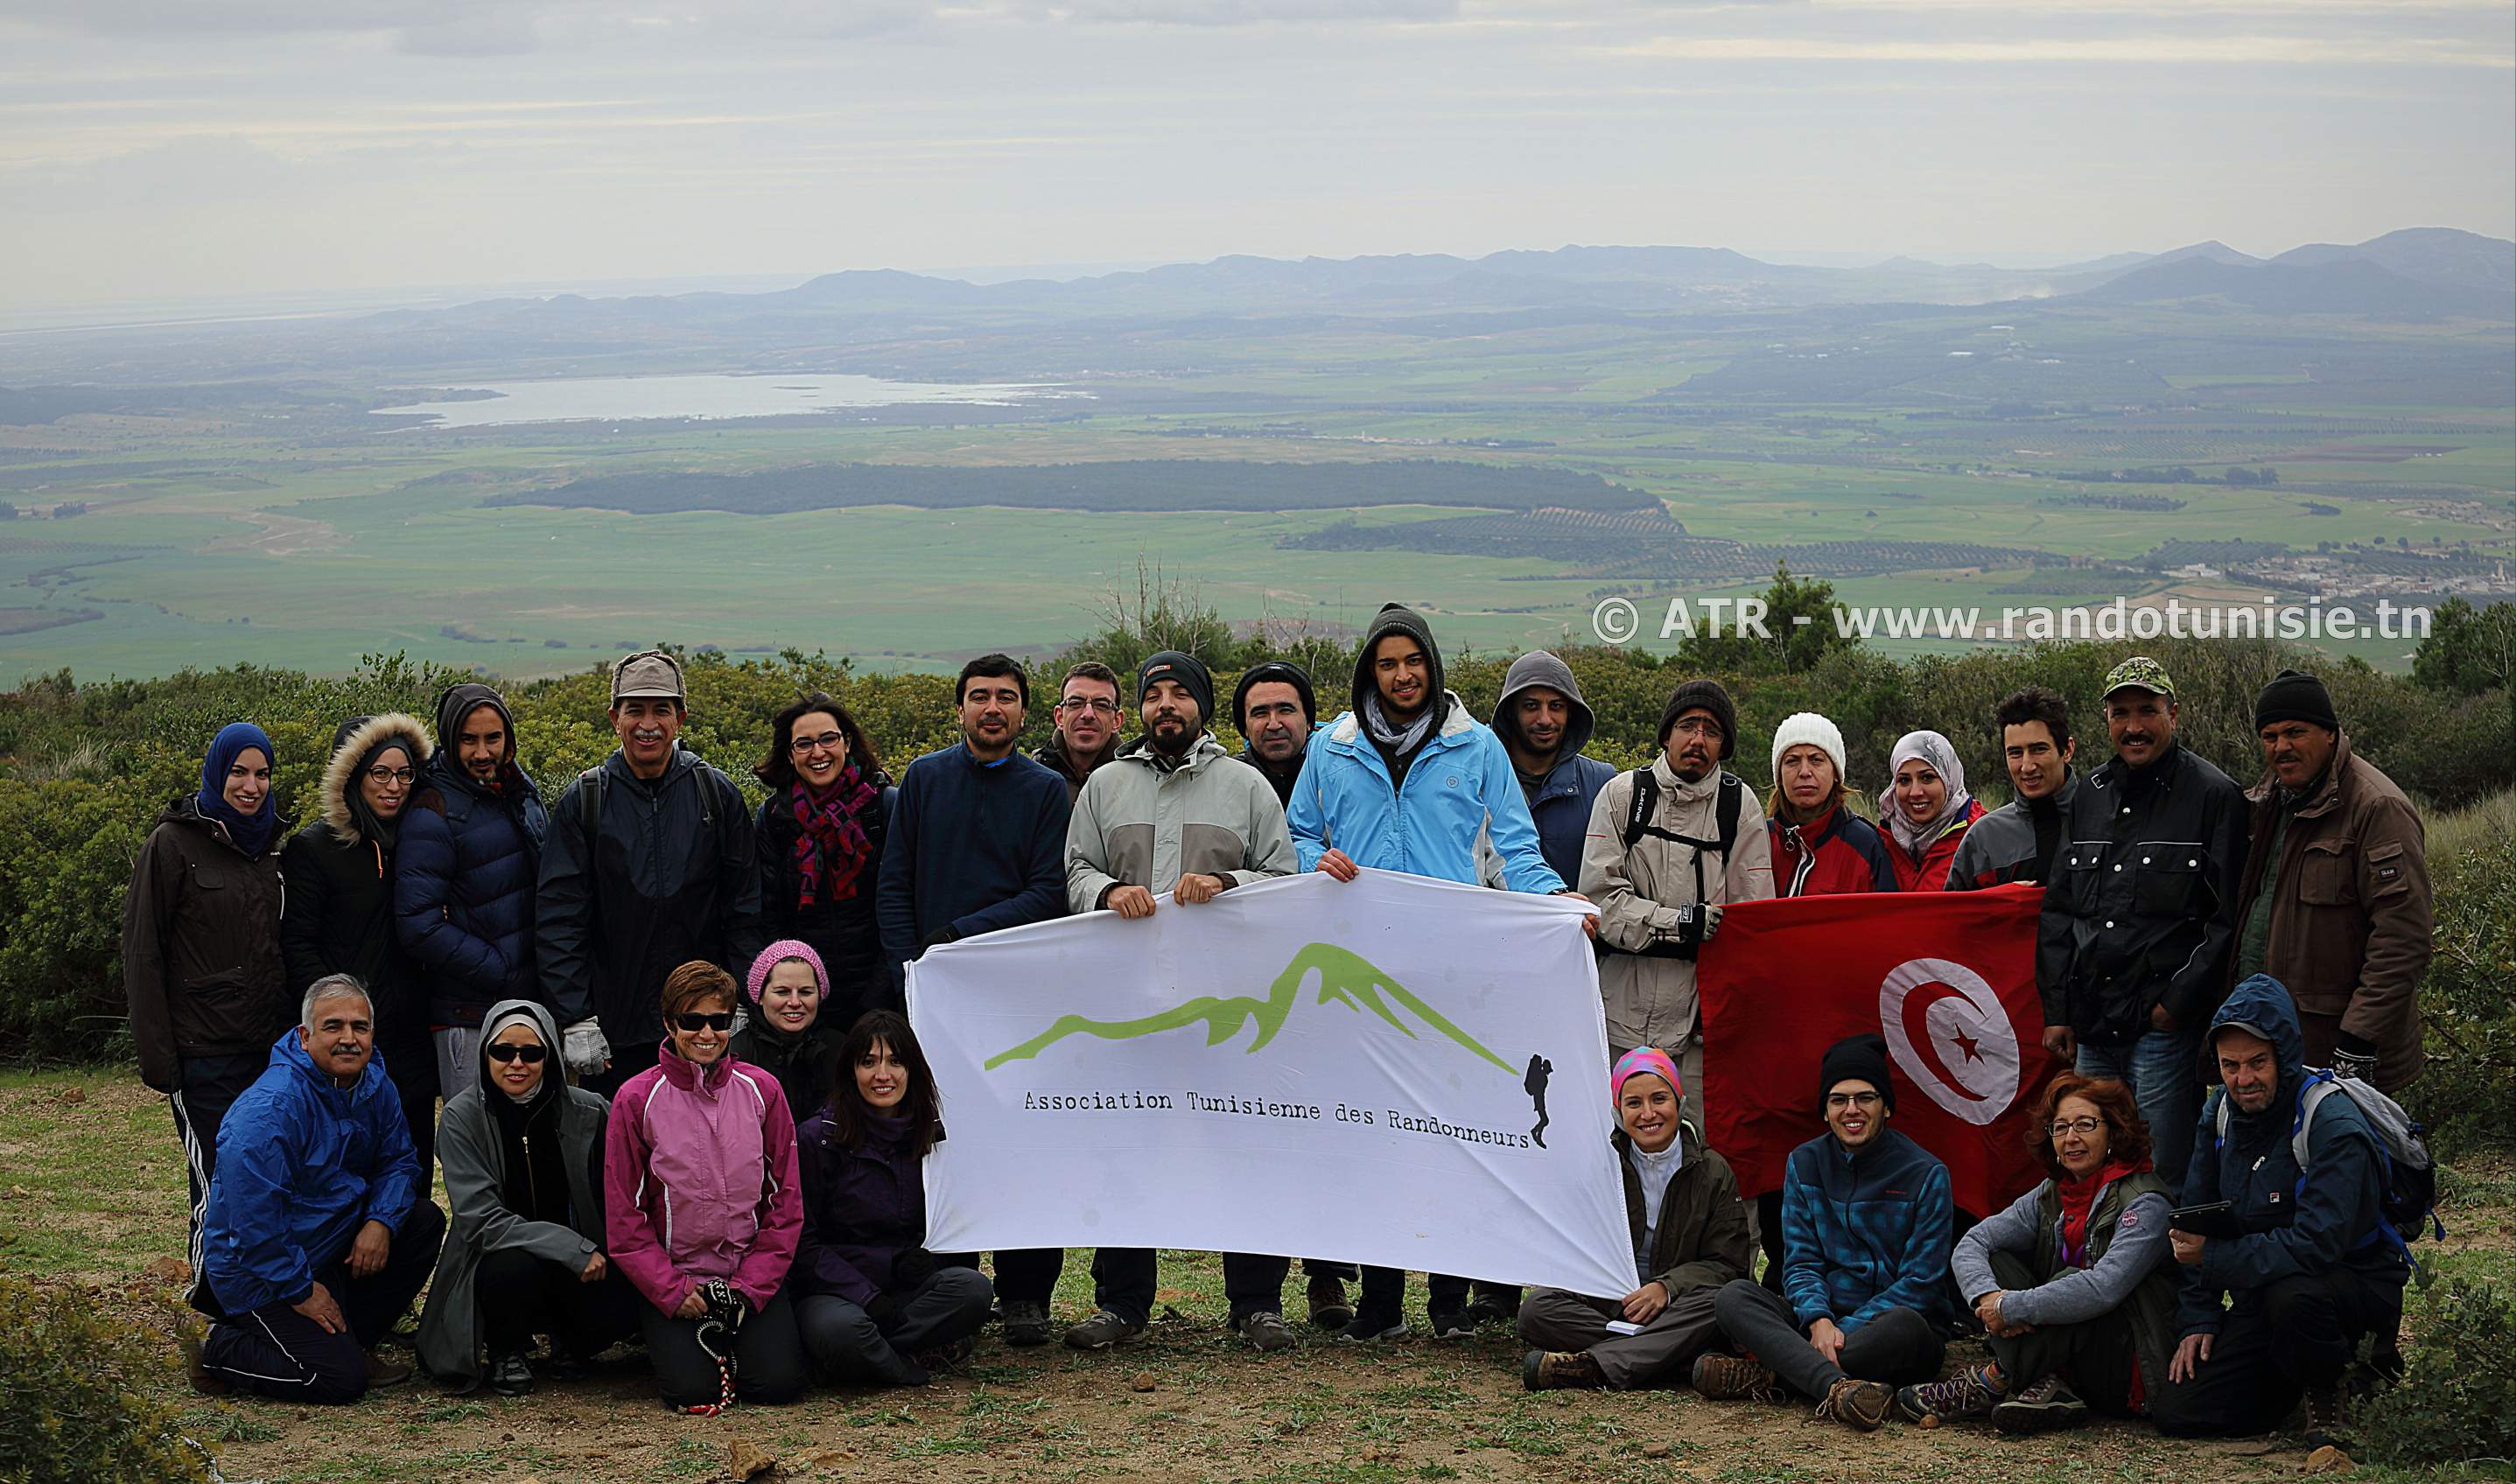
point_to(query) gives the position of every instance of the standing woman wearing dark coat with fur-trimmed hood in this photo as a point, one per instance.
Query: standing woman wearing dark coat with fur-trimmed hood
(338, 909)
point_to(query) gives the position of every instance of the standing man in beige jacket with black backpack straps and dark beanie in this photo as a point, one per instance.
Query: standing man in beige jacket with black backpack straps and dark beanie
(1662, 867)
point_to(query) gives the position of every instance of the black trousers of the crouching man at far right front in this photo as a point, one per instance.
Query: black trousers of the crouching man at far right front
(2278, 1344)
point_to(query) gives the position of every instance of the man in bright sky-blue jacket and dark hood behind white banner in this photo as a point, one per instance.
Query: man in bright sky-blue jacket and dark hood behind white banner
(1410, 781)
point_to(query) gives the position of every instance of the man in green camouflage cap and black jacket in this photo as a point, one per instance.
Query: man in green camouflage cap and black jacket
(2142, 912)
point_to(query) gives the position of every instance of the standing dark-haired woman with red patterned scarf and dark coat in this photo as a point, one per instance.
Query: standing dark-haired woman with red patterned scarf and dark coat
(819, 841)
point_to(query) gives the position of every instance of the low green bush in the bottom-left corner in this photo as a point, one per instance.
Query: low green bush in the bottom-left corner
(72, 1397)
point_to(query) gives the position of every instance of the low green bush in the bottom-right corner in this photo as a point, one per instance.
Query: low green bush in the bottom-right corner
(2457, 1400)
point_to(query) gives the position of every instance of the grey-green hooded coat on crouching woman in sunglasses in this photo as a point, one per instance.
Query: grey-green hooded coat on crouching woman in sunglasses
(477, 1214)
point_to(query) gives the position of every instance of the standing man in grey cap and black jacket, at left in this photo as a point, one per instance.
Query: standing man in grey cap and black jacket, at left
(648, 867)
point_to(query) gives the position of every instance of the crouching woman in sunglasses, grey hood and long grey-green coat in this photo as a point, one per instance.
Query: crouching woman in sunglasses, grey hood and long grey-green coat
(525, 1236)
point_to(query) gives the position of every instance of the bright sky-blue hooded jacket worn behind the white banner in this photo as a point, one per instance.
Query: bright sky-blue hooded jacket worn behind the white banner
(1458, 789)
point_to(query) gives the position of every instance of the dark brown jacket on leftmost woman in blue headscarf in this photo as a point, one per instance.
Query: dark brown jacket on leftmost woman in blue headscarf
(203, 965)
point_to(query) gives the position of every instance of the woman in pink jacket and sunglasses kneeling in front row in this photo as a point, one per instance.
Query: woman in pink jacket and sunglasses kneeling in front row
(703, 1209)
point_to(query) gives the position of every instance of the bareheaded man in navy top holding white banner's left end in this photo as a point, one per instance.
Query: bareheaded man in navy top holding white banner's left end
(980, 844)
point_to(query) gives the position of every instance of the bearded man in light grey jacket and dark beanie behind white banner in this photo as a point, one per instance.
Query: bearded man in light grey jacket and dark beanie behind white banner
(1174, 814)
